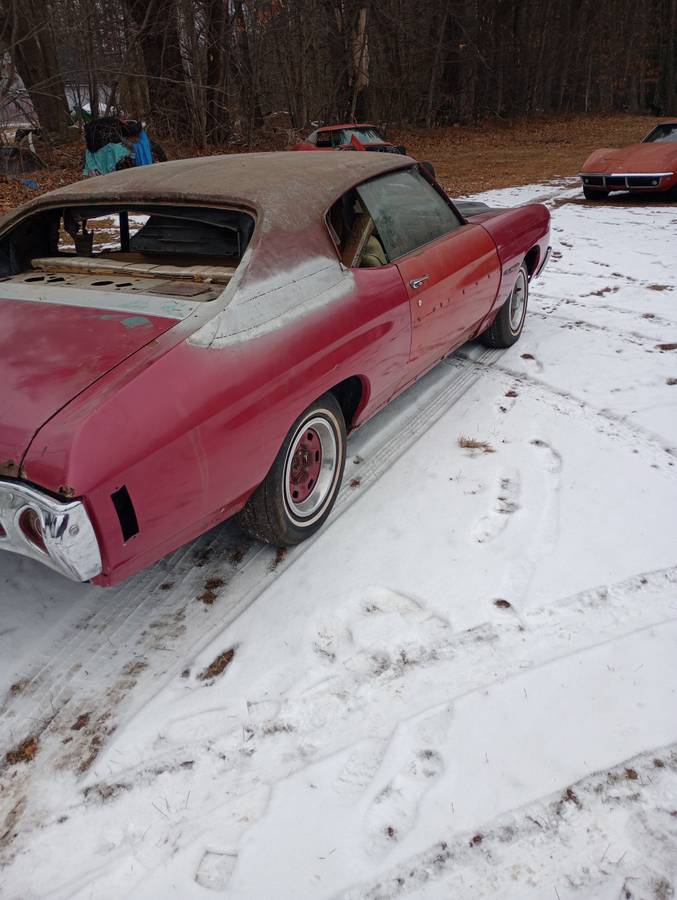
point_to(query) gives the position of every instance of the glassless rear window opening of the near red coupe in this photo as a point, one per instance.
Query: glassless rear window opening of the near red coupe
(175, 250)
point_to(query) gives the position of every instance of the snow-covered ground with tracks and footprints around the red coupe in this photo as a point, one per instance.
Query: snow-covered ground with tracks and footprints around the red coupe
(464, 687)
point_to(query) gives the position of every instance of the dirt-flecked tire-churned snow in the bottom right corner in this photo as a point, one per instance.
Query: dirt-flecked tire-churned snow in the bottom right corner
(498, 857)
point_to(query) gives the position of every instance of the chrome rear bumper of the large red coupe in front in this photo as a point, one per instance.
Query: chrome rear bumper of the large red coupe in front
(70, 545)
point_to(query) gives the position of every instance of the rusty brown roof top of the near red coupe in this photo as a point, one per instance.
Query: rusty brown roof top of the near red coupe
(277, 184)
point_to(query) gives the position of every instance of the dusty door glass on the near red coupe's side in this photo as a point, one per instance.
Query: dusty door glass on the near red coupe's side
(407, 211)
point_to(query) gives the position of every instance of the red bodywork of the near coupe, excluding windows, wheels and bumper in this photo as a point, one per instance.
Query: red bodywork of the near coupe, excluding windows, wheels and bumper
(190, 415)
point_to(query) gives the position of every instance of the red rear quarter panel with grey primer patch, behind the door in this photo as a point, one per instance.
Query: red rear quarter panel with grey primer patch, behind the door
(192, 424)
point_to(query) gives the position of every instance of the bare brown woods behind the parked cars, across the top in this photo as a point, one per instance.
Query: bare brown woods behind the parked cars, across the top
(213, 71)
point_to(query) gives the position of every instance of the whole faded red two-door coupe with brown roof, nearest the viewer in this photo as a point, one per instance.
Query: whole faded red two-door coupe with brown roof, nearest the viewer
(194, 340)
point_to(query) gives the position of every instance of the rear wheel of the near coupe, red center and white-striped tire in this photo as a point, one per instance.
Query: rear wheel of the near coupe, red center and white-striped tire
(300, 489)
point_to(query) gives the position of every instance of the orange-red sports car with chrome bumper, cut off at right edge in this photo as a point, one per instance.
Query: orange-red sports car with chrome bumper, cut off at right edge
(647, 167)
